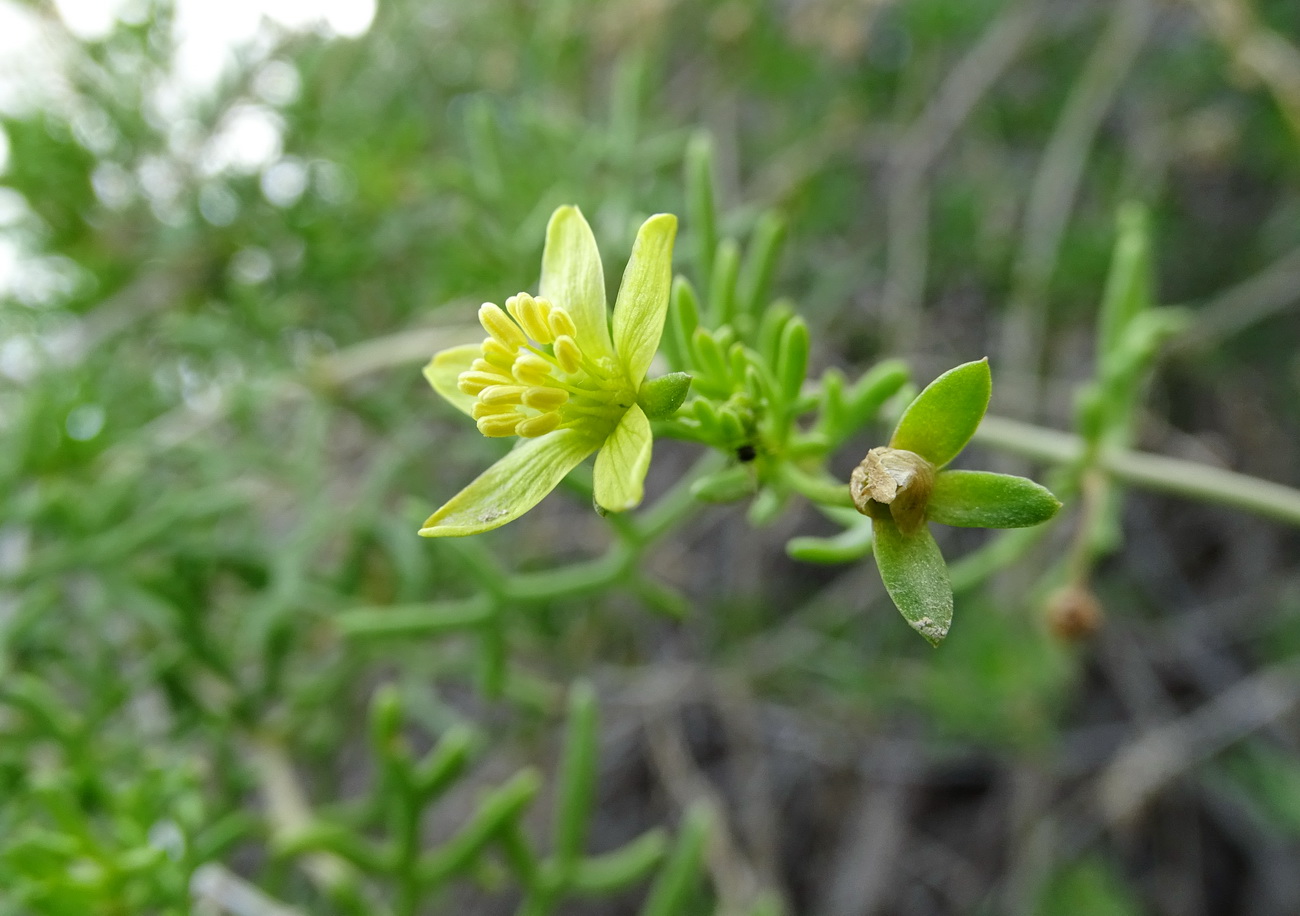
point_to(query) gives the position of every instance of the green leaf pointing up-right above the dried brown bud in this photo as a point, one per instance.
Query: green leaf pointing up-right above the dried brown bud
(943, 418)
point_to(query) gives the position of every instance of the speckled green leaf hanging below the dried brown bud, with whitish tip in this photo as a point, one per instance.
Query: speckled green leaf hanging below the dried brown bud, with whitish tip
(916, 578)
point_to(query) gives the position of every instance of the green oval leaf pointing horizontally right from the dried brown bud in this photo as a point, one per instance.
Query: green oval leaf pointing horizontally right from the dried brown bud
(985, 500)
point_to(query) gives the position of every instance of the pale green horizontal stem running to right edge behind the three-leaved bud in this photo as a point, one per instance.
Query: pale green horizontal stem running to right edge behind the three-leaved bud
(1147, 471)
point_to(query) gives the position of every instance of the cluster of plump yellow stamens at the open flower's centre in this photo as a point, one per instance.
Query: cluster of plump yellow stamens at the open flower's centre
(532, 377)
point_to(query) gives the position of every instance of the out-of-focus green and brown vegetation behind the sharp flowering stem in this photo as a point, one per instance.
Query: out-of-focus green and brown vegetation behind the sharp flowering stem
(222, 685)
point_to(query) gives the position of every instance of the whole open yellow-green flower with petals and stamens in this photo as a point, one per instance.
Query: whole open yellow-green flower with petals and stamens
(551, 374)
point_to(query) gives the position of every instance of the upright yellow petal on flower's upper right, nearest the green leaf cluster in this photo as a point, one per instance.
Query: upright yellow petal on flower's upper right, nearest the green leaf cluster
(643, 301)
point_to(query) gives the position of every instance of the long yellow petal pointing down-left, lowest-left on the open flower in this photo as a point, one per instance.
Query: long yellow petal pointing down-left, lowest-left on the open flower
(513, 487)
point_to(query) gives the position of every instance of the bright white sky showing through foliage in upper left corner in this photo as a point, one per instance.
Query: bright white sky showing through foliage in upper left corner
(210, 34)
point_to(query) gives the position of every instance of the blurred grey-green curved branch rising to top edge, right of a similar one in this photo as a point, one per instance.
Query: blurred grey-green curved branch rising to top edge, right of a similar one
(1056, 186)
